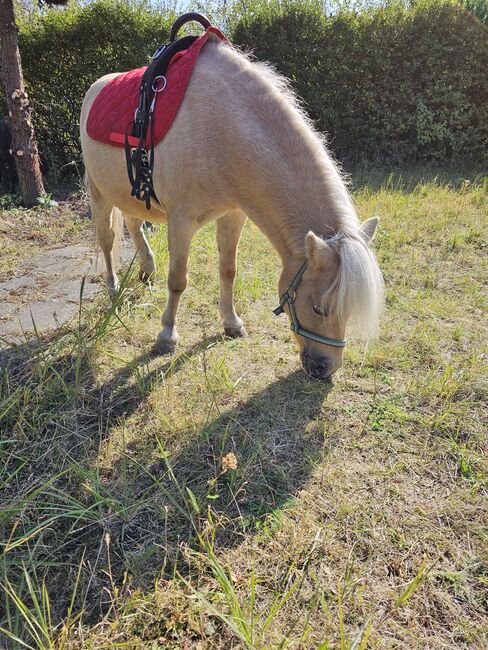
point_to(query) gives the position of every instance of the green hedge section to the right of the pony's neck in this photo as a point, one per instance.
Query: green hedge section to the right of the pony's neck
(390, 84)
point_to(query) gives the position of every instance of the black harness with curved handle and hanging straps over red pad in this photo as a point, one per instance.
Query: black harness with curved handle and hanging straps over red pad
(140, 161)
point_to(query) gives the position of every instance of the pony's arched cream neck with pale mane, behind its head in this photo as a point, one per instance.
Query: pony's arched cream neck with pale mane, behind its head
(290, 184)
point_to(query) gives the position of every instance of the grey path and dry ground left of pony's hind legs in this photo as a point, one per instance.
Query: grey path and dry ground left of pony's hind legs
(40, 278)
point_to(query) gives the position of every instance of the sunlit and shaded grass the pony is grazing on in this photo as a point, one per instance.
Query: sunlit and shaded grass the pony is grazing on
(356, 515)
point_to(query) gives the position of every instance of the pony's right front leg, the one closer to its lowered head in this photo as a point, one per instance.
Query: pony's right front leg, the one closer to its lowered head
(229, 229)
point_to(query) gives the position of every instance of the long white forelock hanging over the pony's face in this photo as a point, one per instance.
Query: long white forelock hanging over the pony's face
(357, 292)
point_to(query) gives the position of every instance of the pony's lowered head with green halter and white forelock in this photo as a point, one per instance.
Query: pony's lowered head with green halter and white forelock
(341, 282)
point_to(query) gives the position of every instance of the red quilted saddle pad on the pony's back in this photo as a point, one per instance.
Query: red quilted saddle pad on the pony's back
(113, 109)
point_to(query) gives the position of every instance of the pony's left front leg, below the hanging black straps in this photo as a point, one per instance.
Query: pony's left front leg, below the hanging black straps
(180, 234)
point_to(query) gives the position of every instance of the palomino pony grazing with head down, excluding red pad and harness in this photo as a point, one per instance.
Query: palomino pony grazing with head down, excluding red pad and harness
(241, 147)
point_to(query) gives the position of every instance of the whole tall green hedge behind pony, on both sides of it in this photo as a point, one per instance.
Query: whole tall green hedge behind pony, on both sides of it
(388, 84)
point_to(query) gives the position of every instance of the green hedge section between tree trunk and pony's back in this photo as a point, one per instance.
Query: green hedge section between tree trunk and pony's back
(64, 52)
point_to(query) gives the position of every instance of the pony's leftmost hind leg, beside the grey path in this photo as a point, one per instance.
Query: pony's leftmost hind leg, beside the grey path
(109, 227)
